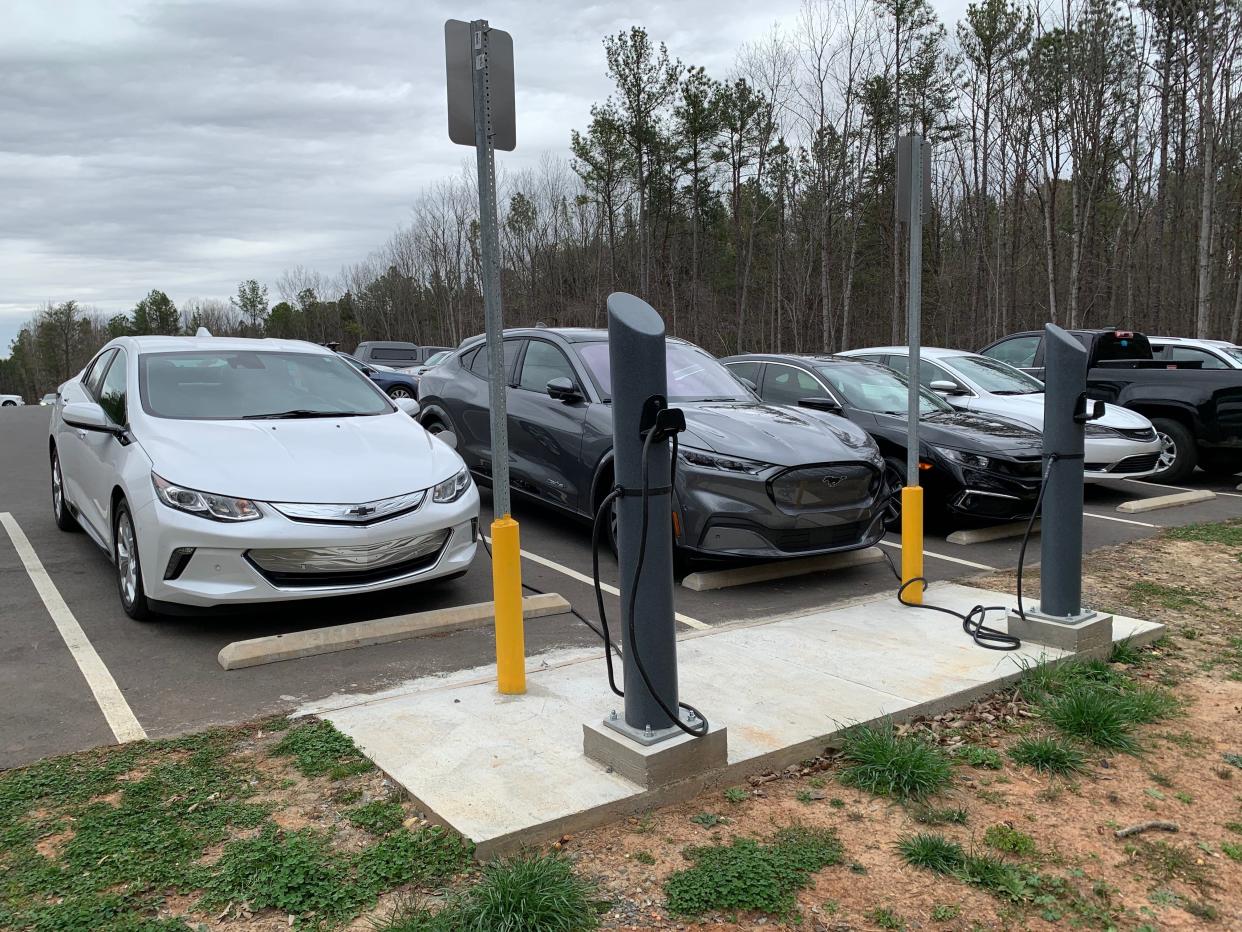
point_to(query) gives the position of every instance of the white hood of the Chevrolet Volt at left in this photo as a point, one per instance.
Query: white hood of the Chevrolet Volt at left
(321, 460)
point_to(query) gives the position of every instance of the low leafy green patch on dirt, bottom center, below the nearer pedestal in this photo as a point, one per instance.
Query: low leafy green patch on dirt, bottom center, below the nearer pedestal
(751, 875)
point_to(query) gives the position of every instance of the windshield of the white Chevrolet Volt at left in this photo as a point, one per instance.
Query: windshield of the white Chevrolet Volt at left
(235, 385)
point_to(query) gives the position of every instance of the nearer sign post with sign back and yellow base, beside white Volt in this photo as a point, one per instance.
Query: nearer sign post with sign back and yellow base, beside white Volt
(480, 60)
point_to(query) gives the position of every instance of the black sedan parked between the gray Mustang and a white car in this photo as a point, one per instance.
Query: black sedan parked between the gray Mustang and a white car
(973, 467)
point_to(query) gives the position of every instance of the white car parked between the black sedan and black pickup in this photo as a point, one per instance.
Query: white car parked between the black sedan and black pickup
(1122, 443)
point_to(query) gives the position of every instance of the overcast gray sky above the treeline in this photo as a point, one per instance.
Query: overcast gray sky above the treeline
(188, 146)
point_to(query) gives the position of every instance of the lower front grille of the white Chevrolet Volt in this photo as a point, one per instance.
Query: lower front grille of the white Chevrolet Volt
(350, 565)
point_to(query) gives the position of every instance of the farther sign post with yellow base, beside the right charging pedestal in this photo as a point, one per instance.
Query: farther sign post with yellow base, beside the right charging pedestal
(911, 191)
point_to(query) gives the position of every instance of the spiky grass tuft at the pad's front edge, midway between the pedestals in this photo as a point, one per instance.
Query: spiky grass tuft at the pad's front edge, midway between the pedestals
(880, 761)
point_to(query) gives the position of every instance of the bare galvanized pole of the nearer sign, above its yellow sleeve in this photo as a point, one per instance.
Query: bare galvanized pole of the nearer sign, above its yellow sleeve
(491, 273)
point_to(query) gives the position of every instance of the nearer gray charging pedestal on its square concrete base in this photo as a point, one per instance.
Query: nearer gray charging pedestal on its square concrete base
(645, 745)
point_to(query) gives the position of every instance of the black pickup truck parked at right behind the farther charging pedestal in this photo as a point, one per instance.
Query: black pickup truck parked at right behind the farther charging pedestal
(1197, 412)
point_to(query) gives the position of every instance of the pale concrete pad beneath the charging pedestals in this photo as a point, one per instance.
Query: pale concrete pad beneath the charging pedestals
(510, 771)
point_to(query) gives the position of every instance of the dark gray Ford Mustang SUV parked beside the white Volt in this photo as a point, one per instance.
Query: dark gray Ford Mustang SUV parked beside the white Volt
(753, 480)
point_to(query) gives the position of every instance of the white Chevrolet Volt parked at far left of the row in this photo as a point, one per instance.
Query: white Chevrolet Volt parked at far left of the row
(222, 472)
